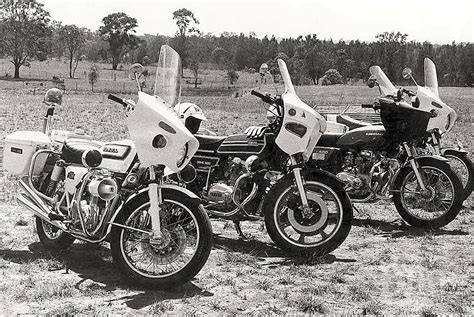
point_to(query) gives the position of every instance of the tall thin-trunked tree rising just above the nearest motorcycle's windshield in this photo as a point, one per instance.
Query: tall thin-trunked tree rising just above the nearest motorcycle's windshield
(184, 20)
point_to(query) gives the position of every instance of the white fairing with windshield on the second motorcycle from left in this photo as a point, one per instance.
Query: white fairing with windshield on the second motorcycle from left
(298, 113)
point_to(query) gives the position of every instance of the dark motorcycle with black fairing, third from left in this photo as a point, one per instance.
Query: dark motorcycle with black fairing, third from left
(381, 161)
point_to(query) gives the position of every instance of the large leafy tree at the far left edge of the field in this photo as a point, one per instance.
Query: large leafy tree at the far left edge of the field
(24, 26)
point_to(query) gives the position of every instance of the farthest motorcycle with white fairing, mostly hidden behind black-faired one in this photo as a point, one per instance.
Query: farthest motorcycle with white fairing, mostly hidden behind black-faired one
(442, 121)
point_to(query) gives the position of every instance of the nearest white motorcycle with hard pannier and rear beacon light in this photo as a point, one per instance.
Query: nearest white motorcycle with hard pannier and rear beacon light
(78, 188)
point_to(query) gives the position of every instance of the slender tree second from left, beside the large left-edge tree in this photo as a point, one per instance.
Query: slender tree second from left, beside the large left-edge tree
(74, 40)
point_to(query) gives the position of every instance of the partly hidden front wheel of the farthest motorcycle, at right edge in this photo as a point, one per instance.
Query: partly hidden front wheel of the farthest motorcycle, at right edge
(462, 166)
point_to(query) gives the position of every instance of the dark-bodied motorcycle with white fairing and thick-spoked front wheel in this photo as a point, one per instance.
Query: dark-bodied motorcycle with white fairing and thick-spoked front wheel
(306, 211)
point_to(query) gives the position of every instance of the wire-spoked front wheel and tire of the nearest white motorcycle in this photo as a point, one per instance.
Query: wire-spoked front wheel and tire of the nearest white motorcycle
(198, 227)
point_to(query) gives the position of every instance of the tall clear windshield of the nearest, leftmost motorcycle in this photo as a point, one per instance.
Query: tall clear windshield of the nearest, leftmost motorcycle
(168, 76)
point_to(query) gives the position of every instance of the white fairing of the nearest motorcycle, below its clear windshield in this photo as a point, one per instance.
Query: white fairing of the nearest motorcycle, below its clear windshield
(153, 117)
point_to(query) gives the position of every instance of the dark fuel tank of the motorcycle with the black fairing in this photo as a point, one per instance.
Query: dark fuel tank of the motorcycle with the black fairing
(369, 137)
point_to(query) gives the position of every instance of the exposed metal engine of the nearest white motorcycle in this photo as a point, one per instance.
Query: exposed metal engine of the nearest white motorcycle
(92, 191)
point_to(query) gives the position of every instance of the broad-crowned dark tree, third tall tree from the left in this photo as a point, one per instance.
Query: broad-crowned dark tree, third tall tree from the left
(116, 31)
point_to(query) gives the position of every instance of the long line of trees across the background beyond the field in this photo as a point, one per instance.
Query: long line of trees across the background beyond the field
(29, 34)
